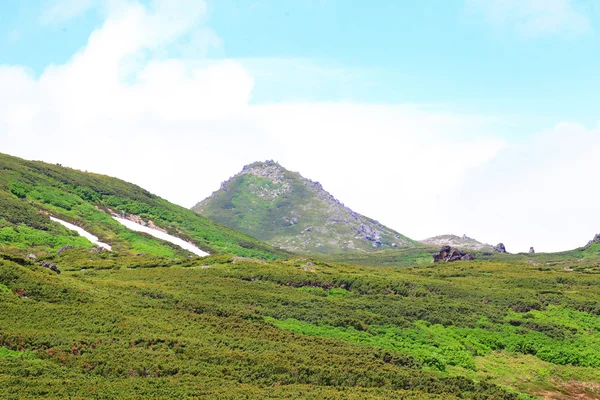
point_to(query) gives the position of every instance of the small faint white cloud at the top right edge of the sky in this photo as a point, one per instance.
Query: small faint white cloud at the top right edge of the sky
(534, 17)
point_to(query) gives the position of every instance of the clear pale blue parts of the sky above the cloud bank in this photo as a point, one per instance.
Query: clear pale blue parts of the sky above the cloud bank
(430, 52)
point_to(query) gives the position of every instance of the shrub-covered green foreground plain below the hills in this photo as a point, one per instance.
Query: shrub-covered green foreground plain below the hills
(224, 328)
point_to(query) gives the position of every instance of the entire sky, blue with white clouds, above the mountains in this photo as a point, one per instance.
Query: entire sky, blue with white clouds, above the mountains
(477, 117)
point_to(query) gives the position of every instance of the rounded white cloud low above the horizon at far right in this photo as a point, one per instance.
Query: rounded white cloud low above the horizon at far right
(541, 192)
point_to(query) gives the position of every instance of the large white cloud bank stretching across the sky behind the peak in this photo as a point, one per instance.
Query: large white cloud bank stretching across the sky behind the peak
(179, 126)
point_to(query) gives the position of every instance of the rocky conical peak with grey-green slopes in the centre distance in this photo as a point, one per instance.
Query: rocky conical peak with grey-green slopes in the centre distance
(286, 210)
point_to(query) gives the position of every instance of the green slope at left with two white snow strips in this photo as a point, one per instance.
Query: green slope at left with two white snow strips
(31, 191)
